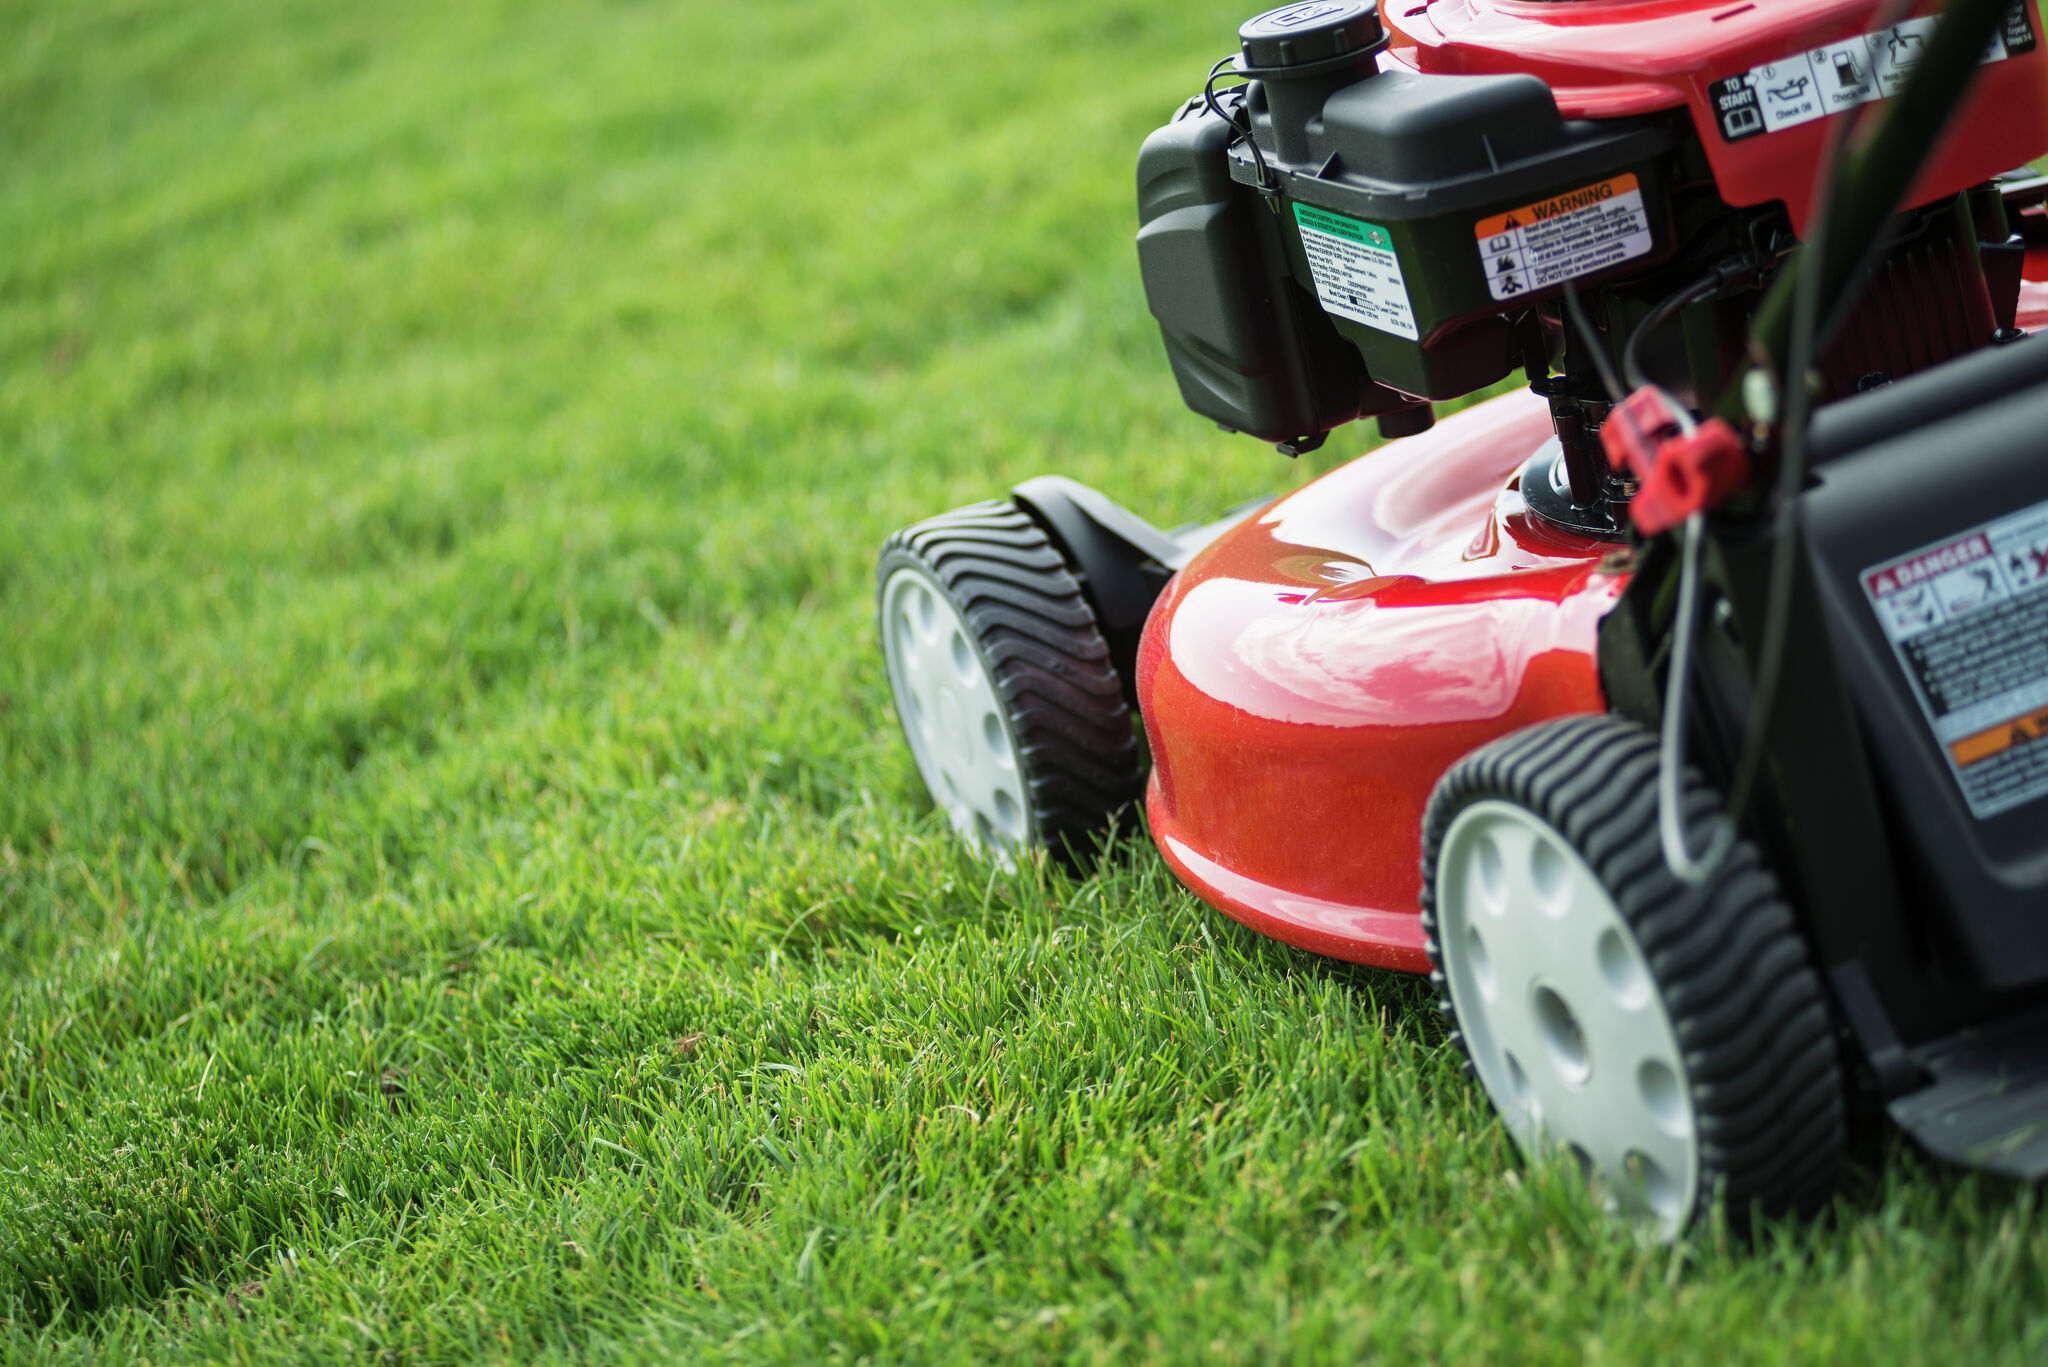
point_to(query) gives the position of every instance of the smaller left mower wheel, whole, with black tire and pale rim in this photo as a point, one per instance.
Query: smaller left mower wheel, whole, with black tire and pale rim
(1005, 683)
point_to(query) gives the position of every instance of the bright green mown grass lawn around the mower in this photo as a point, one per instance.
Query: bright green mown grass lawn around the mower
(462, 890)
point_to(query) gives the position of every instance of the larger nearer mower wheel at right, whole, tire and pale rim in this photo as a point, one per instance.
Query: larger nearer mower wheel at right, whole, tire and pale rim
(1672, 1040)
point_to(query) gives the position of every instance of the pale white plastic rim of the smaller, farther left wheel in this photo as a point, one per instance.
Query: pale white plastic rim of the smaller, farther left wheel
(951, 714)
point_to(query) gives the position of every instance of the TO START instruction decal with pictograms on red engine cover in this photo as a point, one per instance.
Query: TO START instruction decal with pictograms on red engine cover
(1836, 77)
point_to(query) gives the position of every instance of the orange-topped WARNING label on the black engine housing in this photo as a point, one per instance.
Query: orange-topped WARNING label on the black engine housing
(1564, 237)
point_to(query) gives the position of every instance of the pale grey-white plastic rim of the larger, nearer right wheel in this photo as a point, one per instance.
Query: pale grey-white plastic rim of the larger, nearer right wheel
(1560, 1011)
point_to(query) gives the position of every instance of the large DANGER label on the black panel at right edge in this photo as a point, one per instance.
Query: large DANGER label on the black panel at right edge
(1969, 620)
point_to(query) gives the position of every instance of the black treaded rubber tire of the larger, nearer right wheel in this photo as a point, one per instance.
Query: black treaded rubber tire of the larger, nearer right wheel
(1725, 958)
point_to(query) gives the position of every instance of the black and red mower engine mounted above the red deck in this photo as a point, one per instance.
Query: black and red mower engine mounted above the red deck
(1359, 229)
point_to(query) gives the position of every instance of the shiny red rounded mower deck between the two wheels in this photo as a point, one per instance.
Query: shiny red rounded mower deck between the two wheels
(1310, 677)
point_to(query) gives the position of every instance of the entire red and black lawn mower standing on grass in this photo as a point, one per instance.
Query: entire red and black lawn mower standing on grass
(1684, 712)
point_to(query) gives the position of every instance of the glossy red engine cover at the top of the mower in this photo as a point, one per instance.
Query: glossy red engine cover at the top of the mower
(1607, 58)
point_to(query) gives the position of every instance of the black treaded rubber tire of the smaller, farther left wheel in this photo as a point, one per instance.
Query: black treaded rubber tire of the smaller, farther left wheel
(1035, 636)
